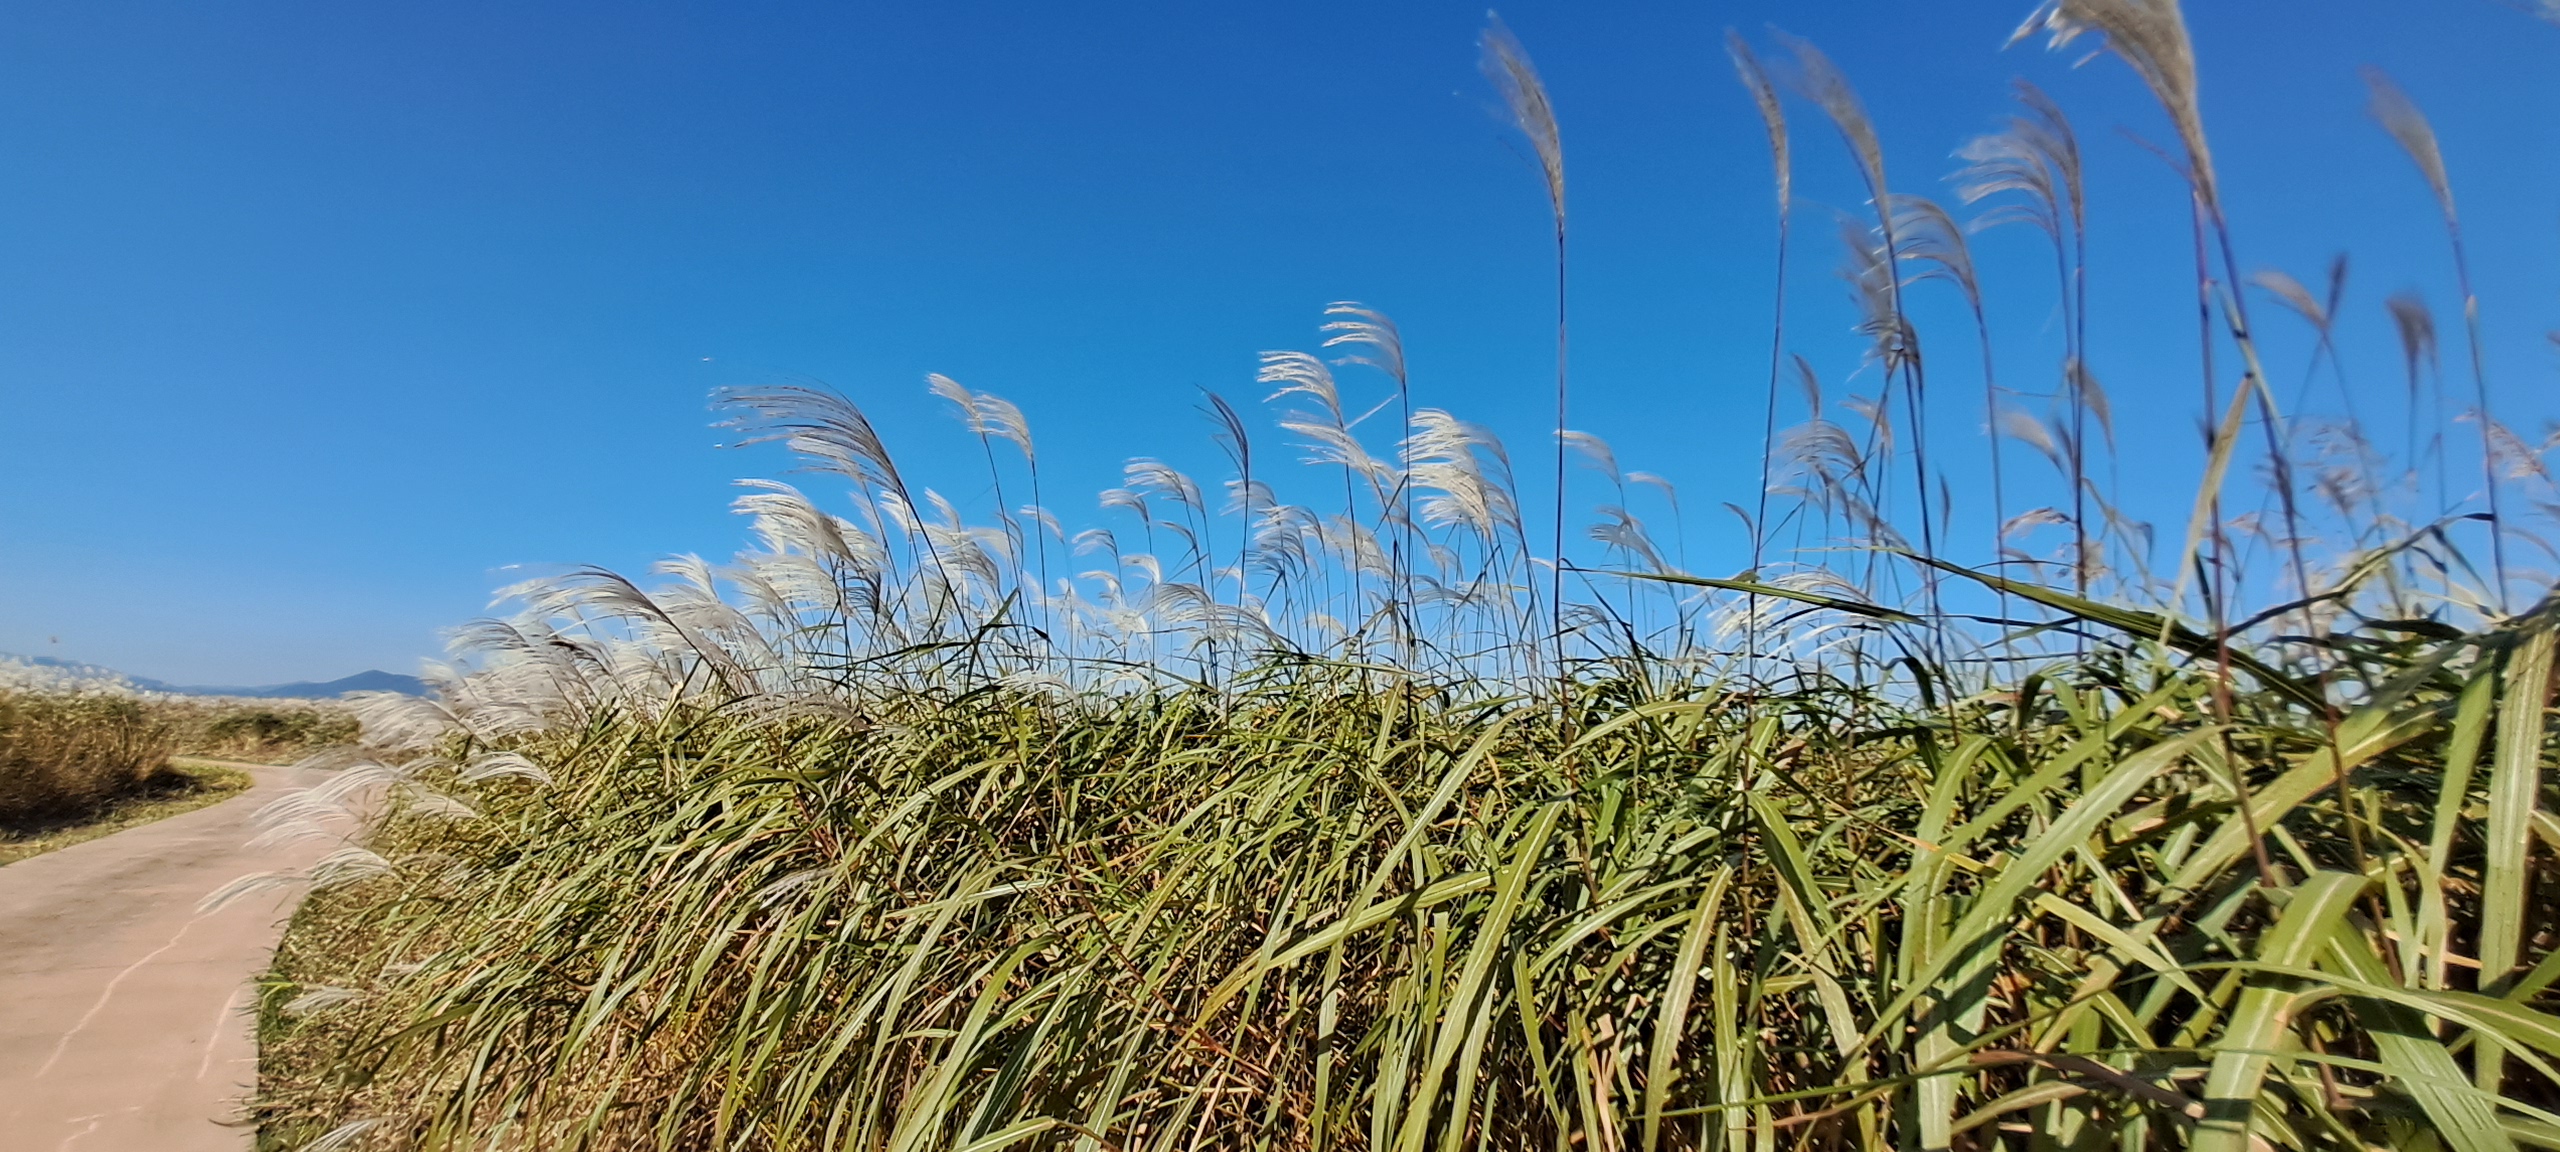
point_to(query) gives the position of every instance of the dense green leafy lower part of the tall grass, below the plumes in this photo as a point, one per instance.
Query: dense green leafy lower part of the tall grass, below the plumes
(1327, 910)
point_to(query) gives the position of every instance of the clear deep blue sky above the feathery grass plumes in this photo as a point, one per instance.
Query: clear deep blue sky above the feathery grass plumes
(316, 316)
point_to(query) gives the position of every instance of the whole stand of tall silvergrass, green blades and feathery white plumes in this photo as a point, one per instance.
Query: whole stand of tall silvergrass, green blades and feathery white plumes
(1389, 820)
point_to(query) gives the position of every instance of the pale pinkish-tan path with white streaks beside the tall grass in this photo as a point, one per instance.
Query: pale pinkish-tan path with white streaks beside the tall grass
(124, 1012)
